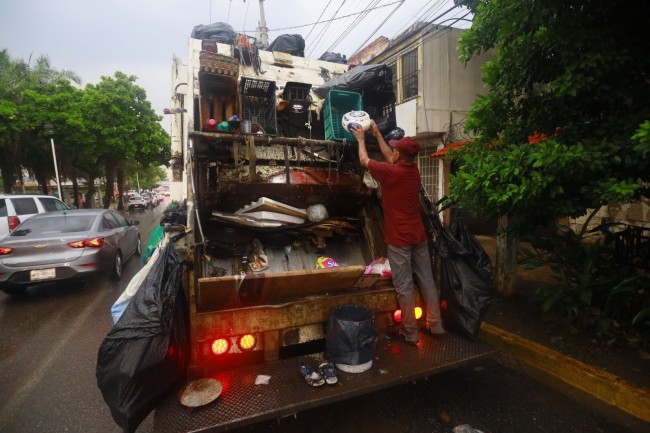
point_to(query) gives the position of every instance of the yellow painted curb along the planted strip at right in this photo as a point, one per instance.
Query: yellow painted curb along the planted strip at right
(604, 386)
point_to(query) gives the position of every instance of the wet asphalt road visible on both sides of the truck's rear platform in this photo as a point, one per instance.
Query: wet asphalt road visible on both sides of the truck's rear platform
(49, 340)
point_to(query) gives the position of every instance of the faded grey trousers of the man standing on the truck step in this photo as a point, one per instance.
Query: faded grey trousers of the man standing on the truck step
(404, 263)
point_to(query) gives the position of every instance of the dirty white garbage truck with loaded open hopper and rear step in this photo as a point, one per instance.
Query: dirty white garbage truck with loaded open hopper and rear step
(284, 229)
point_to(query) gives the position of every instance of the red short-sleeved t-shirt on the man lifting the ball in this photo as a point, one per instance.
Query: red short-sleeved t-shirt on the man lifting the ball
(400, 192)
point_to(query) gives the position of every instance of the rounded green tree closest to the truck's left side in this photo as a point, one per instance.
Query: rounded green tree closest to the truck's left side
(125, 127)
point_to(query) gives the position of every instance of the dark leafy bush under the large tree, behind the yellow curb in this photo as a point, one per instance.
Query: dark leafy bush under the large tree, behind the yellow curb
(590, 286)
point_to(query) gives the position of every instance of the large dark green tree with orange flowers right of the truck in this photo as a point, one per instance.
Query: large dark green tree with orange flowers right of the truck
(568, 89)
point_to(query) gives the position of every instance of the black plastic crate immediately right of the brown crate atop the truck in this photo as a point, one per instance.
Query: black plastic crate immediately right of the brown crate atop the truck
(258, 103)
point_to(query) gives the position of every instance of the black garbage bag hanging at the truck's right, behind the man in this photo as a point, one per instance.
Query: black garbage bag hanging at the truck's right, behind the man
(467, 288)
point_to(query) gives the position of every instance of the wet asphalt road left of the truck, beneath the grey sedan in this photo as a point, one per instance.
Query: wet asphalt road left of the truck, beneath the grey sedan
(49, 338)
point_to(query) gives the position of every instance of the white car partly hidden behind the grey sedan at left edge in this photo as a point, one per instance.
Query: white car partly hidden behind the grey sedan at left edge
(16, 208)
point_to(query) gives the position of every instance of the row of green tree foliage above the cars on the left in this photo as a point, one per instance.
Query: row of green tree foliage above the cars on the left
(99, 131)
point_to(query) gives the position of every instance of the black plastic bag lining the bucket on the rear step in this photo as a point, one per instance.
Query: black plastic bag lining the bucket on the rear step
(351, 336)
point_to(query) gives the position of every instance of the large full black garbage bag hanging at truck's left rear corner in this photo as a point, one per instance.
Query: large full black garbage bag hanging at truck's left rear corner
(145, 353)
